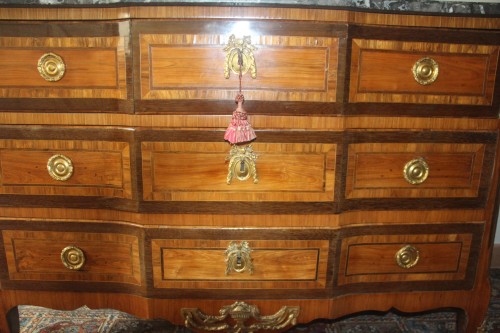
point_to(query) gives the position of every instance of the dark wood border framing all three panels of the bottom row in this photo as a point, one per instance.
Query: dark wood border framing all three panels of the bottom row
(145, 236)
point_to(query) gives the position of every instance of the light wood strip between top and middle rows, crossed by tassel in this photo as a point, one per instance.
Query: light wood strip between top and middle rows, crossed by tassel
(258, 121)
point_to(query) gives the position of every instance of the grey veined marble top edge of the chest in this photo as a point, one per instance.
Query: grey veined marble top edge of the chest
(486, 7)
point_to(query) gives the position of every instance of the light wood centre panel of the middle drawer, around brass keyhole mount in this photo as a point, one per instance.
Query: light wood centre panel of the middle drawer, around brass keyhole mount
(177, 171)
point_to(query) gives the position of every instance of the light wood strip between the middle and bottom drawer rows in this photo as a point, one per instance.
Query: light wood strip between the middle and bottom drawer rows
(442, 216)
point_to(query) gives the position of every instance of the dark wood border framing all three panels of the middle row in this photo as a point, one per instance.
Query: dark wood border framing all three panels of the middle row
(343, 139)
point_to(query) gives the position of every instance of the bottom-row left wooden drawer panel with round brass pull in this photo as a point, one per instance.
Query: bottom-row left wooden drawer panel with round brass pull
(56, 256)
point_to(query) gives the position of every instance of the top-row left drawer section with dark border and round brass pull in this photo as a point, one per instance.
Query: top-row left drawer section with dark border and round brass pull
(44, 69)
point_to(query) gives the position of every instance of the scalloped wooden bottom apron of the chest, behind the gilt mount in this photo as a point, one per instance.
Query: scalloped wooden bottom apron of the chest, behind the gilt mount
(310, 309)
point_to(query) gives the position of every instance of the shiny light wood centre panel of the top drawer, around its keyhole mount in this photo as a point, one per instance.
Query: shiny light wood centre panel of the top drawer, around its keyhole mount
(289, 68)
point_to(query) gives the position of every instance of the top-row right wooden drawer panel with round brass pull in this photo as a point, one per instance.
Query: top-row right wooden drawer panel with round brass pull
(420, 72)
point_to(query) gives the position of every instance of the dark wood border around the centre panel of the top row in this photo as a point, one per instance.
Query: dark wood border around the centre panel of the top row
(209, 26)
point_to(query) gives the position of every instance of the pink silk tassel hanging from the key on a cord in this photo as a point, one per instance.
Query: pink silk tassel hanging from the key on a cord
(239, 130)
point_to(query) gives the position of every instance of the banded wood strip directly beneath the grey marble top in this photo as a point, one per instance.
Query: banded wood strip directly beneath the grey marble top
(247, 12)
